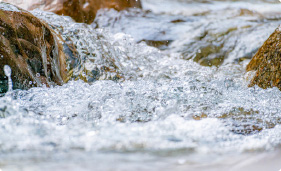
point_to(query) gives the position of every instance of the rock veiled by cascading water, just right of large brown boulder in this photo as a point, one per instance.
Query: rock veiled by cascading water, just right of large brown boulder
(92, 53)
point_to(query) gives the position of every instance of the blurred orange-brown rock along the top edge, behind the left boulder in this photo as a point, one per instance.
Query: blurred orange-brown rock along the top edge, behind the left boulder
(80, 10)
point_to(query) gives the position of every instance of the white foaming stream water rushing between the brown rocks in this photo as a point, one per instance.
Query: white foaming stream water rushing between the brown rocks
(183, 104)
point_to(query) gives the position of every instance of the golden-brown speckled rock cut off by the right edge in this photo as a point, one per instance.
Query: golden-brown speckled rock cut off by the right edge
(267, 63)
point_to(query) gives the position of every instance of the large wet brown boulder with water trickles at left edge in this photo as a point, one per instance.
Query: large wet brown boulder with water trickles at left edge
(34, 52)
